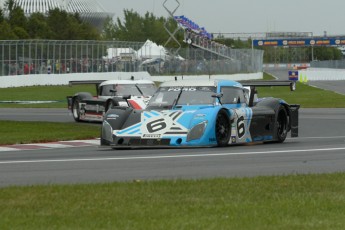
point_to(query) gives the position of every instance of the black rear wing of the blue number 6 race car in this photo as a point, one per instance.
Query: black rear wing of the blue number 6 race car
(254, 84)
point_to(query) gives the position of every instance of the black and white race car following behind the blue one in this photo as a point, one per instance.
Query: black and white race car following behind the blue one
(126, 93)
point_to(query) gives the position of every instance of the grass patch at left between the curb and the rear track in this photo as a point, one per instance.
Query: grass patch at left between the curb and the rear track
(20, 132)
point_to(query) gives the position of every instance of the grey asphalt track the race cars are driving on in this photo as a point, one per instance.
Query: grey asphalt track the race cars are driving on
(320, 148)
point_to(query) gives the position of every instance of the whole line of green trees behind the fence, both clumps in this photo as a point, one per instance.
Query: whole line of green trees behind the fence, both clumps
(58, 24)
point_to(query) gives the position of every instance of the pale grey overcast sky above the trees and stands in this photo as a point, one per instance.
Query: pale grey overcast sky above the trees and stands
(247, 16)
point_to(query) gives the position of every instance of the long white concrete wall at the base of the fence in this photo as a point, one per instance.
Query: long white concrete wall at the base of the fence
(63, 79)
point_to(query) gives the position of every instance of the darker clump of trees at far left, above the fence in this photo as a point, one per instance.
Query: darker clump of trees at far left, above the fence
(56, 25)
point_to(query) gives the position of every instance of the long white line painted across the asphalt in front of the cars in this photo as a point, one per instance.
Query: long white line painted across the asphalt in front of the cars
(171, 156)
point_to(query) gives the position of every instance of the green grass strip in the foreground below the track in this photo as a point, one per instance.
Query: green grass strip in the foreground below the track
(286, 202)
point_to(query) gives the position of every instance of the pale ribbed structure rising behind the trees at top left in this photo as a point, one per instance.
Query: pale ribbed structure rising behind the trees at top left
(89, 10)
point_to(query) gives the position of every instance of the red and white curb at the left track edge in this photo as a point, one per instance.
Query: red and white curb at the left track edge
(50, 145)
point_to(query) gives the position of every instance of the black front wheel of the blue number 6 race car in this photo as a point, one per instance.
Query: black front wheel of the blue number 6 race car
(223, 129)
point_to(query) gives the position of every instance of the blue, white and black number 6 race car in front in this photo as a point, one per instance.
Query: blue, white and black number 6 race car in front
(202, 113)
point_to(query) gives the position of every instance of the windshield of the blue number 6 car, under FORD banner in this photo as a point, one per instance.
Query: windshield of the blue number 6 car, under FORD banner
(166, 97)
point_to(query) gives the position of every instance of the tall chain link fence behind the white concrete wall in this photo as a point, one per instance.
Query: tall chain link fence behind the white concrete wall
(25, 57)
